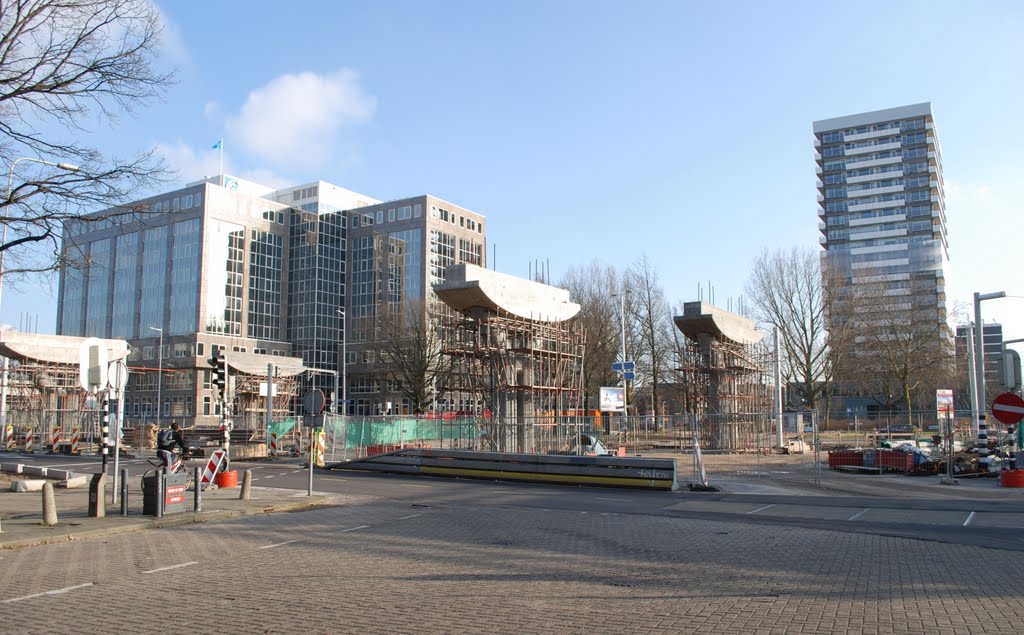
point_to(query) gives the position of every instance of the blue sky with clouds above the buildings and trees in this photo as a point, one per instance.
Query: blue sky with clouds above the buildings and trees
(591, 131)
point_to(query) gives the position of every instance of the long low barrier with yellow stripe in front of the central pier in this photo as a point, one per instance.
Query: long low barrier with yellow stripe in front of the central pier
(604, 472)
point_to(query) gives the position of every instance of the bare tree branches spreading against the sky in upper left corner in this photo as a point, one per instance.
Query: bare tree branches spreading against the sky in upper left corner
(63, 64)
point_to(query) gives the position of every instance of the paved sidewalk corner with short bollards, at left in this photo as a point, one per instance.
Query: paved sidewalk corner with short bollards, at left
(21, 514)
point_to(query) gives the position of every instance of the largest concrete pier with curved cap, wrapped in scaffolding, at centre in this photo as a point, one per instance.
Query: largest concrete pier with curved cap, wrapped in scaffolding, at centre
(515, 348)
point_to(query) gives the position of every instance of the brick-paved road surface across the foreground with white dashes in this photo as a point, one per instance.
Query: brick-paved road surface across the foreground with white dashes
(373, 567)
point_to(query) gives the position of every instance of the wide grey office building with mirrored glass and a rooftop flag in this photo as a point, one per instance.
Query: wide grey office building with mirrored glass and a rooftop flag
(261, 275)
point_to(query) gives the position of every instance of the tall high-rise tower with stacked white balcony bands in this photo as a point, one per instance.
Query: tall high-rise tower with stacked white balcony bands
(883, 222)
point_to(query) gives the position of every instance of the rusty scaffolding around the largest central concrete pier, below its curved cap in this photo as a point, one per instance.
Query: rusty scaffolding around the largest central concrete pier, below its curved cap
(520, 369)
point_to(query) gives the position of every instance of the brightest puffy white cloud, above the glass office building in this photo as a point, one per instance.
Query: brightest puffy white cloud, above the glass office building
(294, 120)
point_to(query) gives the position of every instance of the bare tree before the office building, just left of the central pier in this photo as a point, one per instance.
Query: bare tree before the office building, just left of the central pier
(409, 351)
